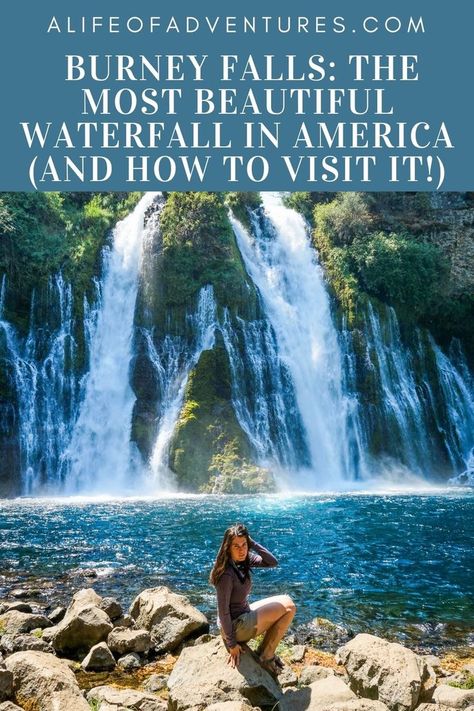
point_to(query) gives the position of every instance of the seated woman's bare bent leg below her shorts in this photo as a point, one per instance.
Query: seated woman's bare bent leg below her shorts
(274, 616)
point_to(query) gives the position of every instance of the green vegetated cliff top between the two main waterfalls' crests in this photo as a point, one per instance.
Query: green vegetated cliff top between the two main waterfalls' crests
(199, 248)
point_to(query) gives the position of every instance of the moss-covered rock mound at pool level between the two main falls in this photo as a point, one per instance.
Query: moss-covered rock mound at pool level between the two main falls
(209, 451)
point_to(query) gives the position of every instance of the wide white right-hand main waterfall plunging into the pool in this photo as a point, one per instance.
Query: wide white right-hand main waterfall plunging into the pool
(283, 266)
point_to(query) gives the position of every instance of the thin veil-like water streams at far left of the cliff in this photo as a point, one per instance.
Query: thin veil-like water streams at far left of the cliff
(45, 385)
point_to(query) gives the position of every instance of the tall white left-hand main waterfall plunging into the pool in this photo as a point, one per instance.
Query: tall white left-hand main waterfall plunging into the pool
(100, 457)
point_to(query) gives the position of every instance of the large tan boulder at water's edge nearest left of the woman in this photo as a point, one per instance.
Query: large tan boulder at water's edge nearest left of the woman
(170, 618)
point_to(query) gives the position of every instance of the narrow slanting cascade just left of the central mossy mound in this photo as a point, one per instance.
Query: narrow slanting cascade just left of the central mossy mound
(172, 363)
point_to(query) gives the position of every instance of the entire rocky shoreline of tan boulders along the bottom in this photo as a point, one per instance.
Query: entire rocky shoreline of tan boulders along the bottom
(159, 655)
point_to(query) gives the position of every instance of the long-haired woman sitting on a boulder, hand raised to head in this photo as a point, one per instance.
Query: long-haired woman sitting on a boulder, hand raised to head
(238, 620)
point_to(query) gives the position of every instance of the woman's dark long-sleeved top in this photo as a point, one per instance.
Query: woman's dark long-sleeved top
(233, 592)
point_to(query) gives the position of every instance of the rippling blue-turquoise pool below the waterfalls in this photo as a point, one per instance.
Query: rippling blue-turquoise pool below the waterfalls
(401, 565)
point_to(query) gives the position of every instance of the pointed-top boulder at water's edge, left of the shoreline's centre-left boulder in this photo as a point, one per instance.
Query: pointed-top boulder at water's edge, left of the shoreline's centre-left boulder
(84, 624)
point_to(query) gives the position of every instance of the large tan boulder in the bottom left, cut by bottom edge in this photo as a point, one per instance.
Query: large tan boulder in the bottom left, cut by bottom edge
(42, 682)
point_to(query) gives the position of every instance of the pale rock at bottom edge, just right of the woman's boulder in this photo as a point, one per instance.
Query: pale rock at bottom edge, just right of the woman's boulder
(317, 695)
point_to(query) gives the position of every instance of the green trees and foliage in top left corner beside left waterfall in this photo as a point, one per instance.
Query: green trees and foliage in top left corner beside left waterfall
(43, 233)
